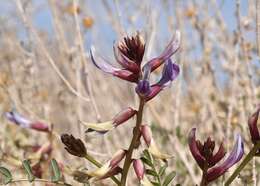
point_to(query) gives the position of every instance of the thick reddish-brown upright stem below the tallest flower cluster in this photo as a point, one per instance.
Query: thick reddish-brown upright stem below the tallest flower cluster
(136, 135)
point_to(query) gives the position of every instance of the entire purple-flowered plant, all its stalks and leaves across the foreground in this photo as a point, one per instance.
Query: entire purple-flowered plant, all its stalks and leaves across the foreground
(150, 167)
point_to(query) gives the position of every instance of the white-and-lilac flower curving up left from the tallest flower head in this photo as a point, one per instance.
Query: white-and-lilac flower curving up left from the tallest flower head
(105, 66)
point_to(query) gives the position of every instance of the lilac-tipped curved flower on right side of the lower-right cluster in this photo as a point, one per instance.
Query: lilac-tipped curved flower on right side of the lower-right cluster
(236, 154)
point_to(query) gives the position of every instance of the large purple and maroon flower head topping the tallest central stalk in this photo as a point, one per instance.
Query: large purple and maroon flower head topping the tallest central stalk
(129, 55)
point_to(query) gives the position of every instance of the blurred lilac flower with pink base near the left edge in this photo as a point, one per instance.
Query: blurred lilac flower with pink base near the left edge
(24, 122)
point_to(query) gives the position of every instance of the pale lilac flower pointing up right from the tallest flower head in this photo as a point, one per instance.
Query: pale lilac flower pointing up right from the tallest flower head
(170, 49)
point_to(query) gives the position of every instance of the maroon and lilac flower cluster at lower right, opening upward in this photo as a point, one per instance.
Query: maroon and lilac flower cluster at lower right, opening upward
(207, 159)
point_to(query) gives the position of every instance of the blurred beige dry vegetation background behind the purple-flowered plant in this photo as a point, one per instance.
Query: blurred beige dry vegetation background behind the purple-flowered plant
(48, 76)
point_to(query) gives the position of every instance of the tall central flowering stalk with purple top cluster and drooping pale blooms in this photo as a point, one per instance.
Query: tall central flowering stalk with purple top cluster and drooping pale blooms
(129, 55)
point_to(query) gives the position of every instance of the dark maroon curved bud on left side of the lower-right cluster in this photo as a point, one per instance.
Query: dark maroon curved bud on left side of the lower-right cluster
(194, 148)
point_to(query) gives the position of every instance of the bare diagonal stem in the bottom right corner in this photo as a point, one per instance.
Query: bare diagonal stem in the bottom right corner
(248, 157)
